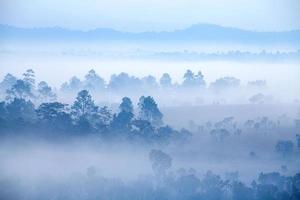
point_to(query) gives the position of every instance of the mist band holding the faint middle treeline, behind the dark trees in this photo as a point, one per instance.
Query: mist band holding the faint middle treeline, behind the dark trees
(193, 89)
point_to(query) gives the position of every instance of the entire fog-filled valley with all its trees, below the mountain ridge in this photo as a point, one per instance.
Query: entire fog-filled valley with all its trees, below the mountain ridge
(113, 121)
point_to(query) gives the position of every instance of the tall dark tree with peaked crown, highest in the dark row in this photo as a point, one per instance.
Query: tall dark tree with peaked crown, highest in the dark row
(83, 106)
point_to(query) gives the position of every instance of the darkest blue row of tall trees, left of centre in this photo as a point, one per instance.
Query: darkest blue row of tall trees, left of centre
(19, 115)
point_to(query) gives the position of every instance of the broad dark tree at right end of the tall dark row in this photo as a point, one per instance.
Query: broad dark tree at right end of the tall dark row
(149, 111)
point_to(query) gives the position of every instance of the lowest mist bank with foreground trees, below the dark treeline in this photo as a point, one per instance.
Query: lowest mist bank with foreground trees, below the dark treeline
(91, 170)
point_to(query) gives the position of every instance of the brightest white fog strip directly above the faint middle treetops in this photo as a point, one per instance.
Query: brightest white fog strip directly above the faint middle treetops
(49, 66)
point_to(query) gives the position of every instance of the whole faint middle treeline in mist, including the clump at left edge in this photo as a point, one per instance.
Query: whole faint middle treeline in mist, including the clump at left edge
(26, 87)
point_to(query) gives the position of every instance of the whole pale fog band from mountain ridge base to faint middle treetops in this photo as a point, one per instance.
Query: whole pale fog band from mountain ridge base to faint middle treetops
(49, 60)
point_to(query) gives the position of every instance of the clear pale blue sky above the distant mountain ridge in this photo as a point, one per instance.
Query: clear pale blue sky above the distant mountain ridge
(154, 15)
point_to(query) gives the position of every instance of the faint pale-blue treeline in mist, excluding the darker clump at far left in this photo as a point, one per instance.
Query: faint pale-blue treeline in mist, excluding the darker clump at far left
(124, 81)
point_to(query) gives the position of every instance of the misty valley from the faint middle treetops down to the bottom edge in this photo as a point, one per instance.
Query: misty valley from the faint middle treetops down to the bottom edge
(148, 137)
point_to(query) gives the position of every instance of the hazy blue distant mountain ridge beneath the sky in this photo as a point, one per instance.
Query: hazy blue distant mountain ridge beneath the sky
(195, 33)
